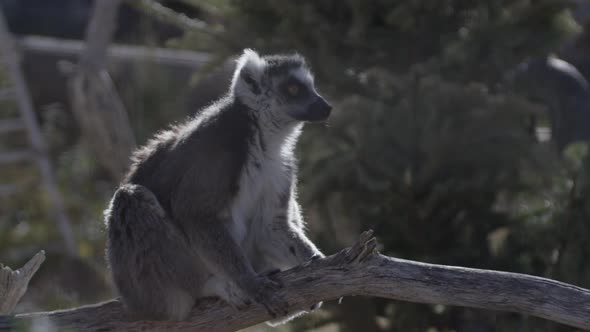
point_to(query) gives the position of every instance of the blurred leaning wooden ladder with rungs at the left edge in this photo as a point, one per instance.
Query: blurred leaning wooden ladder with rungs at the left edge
(19, 93)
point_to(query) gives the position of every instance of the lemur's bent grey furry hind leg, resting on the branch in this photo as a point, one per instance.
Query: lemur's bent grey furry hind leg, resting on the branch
(150, 260)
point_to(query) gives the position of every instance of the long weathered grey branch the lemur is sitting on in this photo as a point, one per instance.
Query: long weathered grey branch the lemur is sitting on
(359, 270)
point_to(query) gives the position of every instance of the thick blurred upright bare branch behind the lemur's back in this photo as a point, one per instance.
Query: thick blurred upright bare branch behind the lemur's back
(96, 105)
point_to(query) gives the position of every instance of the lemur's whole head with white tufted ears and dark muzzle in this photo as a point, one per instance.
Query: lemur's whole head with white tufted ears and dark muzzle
(280, 84)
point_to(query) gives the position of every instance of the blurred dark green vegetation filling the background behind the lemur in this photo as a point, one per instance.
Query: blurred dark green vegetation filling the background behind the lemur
(439, 140)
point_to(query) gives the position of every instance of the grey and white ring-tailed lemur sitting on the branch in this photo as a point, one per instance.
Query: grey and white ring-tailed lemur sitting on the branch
(209, 206)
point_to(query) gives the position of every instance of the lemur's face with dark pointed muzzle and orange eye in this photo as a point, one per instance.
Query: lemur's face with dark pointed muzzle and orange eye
(295, 95)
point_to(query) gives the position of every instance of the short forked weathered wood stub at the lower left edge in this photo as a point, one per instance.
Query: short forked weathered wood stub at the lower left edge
(13, 284)
